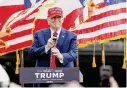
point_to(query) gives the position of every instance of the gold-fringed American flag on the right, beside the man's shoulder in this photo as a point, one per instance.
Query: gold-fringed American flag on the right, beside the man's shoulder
(107, 22)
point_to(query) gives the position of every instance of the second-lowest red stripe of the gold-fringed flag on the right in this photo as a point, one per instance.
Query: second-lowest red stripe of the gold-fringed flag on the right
(101, 26)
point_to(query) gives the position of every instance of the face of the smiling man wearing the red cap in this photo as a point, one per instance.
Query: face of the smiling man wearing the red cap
(55, 22)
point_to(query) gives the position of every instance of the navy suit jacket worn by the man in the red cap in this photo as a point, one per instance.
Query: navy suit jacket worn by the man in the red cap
(67, 45)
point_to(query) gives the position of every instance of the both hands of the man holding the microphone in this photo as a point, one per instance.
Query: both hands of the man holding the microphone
(51, 44)
